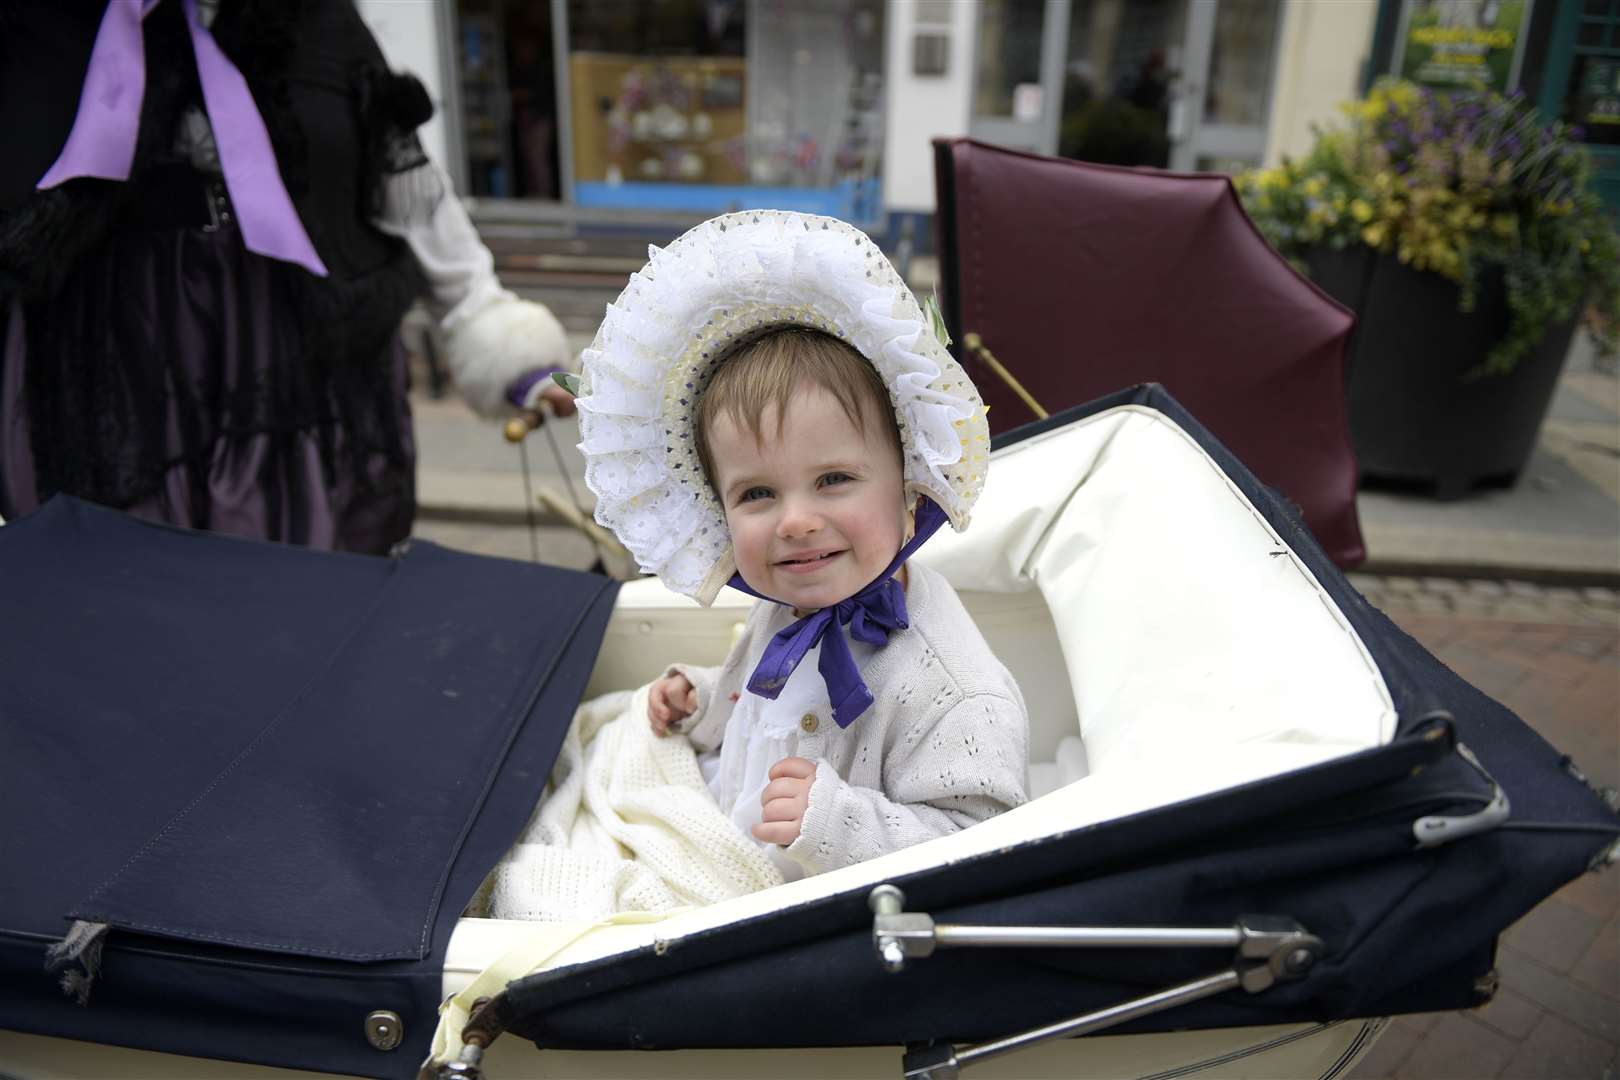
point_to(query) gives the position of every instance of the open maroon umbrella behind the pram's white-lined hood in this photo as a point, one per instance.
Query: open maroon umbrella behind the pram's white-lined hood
(1085, 279)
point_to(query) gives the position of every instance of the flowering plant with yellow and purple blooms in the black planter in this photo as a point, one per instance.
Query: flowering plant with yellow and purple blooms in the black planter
(1462, 185)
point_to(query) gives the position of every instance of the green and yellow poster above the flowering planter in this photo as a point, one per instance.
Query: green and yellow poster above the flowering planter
(1462, 45)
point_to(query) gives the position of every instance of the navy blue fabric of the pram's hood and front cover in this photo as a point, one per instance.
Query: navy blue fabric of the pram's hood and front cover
(281, 775)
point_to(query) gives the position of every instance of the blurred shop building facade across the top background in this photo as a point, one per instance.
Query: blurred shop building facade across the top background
(590, 109)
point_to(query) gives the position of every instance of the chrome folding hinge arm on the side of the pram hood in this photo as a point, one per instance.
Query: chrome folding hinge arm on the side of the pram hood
(1269, 950)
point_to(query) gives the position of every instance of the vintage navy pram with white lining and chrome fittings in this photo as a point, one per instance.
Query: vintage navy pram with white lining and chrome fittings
(279, 776)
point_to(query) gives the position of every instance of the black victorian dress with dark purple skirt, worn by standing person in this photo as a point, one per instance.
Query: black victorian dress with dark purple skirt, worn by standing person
(148, 360)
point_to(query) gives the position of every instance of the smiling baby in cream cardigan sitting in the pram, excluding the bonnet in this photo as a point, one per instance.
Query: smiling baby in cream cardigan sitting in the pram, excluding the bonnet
(798, 438)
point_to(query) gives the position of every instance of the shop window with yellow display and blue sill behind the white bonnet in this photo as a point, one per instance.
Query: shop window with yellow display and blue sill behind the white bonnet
(717, 104)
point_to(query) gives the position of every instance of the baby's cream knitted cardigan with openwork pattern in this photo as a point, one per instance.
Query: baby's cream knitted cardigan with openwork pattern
(944, 746)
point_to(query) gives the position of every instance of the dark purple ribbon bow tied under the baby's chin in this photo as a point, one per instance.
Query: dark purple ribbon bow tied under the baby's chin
(872, 616)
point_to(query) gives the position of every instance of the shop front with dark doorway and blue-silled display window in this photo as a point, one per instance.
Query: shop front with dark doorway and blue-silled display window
(681, 106)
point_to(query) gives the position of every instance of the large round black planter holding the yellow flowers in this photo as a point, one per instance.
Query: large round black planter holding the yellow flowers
(1417, 414)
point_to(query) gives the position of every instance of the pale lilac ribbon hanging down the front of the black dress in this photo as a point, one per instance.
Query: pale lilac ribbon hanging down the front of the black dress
(103, 138)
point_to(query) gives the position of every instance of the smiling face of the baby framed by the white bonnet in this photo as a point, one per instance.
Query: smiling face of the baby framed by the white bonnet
(817, 512)
